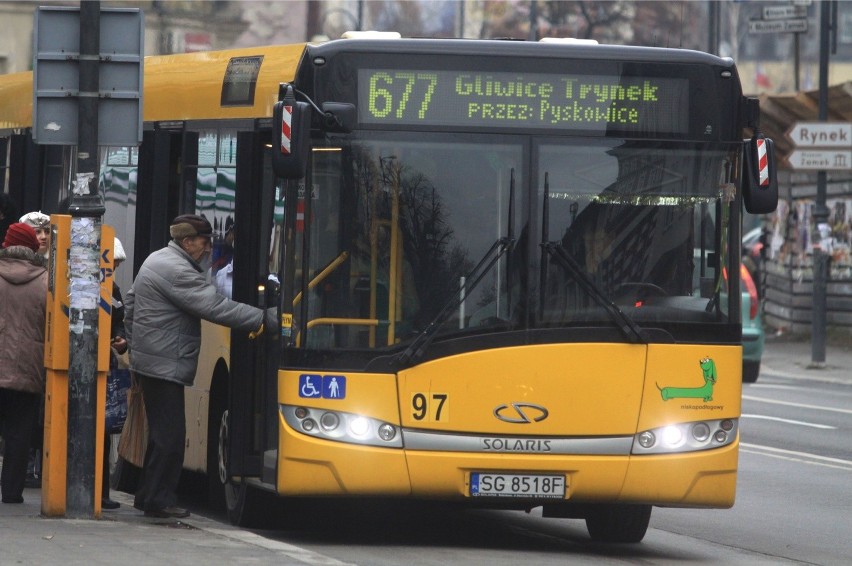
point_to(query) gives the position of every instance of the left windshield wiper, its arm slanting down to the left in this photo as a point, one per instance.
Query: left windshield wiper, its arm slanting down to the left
(495, 252)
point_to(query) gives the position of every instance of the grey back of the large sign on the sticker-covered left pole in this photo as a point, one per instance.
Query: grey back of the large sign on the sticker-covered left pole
(56, 81)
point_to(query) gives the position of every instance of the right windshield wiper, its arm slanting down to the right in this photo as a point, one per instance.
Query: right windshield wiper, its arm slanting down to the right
(556, 250)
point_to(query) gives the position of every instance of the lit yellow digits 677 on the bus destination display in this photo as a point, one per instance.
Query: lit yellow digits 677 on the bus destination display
(394, 93)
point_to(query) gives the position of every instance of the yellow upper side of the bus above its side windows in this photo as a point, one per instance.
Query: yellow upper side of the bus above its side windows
(179, 87)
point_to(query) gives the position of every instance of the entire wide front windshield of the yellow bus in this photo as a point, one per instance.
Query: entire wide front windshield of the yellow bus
(398, 222)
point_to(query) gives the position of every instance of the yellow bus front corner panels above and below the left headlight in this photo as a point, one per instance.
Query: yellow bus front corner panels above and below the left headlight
(310, 466)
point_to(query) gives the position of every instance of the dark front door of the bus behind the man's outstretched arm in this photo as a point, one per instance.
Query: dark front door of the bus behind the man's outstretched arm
(254, 363)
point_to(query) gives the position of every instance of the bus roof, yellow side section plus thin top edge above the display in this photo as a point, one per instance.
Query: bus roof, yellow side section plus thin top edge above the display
(189, 86)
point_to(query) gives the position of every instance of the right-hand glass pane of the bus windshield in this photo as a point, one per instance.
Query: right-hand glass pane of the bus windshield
(639, 223)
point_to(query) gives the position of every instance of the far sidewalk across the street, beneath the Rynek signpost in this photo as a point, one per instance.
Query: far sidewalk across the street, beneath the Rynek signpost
(791, 357)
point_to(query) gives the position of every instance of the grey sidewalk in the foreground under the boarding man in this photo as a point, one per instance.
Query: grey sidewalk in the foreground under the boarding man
(126, 536)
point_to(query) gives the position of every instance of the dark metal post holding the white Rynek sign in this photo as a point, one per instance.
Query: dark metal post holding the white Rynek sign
(820, 214)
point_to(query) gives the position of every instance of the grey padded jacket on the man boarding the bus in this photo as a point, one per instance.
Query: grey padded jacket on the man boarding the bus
(163, 312)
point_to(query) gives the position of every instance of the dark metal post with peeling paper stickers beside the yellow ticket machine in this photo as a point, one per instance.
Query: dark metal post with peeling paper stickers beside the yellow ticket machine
(84, 265)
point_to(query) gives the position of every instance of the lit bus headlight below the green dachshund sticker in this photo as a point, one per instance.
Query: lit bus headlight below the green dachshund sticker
(686, 437)
